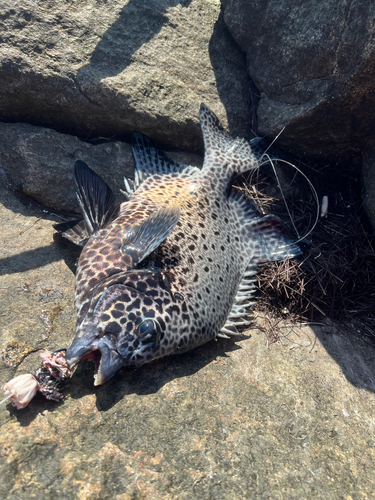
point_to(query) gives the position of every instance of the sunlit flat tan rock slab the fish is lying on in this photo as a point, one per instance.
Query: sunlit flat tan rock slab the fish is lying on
(228, 420)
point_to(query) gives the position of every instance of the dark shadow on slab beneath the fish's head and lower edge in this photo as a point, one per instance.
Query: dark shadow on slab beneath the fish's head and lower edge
(147, 379)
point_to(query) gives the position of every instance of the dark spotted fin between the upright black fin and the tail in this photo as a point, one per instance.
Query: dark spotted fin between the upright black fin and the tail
(150, 160)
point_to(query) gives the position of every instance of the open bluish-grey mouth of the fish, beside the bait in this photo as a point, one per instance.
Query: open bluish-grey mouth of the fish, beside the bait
(101, 352)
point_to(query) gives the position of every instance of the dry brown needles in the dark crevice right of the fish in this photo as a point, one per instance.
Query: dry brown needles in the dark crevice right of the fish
(335, 279)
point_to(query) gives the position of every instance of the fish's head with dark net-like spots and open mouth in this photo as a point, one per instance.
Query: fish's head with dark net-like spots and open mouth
(123, 323)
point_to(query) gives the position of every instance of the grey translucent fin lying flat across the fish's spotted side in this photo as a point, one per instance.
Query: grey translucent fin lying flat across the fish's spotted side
(146, 237)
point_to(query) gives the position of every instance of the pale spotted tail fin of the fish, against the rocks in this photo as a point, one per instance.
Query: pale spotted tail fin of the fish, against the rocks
(221, 150)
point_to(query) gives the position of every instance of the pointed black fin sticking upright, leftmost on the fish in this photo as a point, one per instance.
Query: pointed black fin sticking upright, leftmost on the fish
(98, 203)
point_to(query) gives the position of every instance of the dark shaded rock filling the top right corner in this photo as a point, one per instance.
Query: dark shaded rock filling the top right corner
(314, 66)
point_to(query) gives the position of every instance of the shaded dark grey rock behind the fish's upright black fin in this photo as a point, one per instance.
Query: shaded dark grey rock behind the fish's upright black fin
(39, 163)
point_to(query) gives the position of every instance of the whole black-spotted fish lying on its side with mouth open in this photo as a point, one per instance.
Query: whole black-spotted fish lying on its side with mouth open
(173, 267)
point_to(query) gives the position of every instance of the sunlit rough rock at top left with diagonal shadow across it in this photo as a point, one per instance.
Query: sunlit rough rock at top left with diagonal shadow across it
(106, 68)
